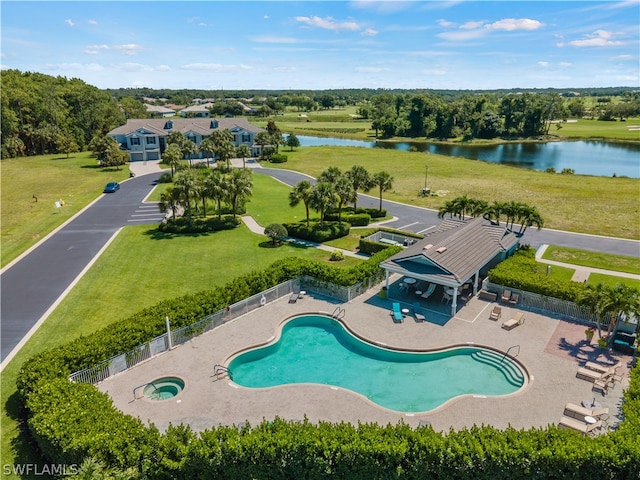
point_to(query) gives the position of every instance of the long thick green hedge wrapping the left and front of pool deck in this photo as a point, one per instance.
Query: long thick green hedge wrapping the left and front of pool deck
(71, 421)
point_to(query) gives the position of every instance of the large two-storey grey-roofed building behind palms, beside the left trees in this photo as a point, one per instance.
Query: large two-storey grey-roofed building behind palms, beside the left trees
(146, 139)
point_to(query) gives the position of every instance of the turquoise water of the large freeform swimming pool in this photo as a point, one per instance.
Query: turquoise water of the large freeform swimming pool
(319, 349)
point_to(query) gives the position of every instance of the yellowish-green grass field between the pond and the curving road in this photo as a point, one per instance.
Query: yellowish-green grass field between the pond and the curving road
(577, 203)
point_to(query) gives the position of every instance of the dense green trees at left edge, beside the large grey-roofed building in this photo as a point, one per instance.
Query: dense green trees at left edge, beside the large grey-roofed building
(43, 114)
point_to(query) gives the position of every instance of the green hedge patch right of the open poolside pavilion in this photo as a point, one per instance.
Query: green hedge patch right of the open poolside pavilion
(522, 272)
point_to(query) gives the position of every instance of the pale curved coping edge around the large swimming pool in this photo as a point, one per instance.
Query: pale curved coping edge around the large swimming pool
(528, 378)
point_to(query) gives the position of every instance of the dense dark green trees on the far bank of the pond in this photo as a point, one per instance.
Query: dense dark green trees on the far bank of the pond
(483, 115)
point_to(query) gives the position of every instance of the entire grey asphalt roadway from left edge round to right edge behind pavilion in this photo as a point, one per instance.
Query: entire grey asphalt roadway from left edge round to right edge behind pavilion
(33, 285)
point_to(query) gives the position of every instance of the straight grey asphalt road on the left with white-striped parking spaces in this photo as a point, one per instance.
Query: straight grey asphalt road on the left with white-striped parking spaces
(32, 285)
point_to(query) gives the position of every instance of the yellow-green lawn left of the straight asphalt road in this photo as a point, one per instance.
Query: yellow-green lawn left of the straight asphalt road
(76, 181)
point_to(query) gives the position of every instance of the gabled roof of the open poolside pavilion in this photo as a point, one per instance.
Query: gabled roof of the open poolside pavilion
(454, 251)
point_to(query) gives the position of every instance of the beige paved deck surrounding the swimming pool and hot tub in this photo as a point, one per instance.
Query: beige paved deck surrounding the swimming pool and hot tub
(551, 349)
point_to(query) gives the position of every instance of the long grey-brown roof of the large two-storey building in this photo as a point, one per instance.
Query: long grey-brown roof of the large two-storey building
(184, 125)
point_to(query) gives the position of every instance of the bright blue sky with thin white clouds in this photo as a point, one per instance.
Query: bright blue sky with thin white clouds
(316, 45)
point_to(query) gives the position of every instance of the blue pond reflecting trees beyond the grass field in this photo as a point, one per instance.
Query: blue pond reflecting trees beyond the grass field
(584, 157)
